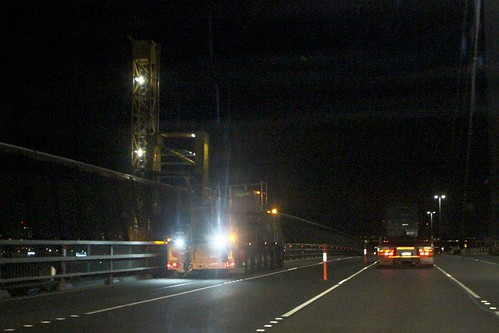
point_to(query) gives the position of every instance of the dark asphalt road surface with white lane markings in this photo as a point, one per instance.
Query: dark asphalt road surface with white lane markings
(459, 294)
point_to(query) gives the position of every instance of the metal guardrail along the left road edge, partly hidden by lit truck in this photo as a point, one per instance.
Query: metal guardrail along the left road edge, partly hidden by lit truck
(39, 262)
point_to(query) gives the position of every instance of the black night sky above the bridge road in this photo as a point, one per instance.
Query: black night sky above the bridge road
(341, 106)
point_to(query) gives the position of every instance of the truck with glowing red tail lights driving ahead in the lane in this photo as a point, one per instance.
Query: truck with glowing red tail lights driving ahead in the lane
(402, 246)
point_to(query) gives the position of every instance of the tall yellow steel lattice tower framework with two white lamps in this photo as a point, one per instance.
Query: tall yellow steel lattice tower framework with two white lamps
(150, 157)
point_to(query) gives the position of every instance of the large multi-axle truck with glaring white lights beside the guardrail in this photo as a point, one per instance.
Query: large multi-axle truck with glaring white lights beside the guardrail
(237, 234)
